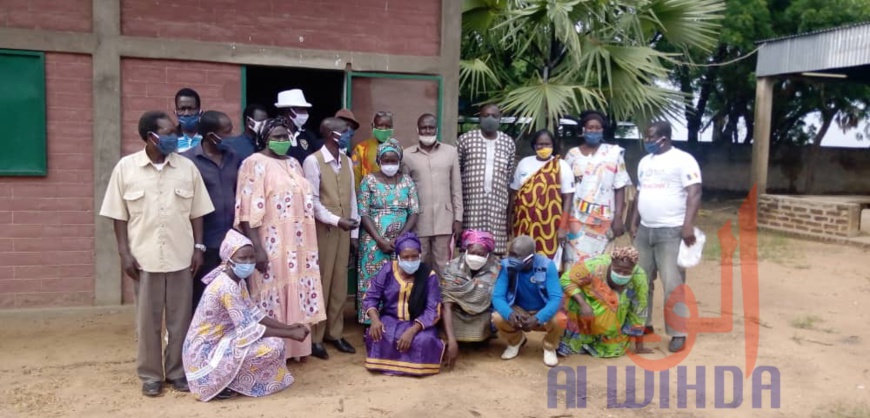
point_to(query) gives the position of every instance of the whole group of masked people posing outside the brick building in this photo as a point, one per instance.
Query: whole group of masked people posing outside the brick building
(244, 243)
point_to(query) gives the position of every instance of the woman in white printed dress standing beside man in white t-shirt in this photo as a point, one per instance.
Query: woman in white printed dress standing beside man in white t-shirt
(600, 178)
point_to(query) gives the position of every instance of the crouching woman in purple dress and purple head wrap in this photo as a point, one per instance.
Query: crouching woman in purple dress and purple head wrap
(404, 304)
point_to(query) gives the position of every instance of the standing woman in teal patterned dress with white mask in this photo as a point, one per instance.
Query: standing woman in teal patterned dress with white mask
(388, 207)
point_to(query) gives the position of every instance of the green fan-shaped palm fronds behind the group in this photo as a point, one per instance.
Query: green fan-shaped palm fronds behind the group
(542, 59)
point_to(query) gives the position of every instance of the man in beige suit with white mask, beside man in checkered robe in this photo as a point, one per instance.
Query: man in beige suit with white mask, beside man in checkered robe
(434, 167)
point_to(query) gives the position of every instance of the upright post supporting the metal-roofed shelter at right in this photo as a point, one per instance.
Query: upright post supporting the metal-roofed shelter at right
(761, 135)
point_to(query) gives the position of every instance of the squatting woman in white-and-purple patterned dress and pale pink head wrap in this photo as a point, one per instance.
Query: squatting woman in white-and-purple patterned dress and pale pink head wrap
(232, 346)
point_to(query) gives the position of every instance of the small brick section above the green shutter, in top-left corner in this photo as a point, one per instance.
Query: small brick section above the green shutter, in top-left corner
(60, 15)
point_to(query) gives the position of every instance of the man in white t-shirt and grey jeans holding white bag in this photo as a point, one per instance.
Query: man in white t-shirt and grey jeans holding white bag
(669, 196)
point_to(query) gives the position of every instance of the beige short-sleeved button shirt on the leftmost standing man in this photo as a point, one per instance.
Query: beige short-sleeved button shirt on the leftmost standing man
(157, 206)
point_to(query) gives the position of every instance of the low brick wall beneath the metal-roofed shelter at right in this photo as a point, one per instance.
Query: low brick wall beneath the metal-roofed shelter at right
(796, 214)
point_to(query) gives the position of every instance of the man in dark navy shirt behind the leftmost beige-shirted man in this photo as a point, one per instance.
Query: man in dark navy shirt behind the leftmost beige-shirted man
(219, 167)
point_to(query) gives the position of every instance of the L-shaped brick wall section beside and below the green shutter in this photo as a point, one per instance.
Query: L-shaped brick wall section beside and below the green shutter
(47, 223)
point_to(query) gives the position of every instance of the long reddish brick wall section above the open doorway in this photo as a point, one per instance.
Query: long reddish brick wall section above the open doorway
(403, 27)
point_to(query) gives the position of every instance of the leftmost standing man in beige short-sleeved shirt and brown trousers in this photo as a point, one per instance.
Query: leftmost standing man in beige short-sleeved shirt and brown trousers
(157, 200)
